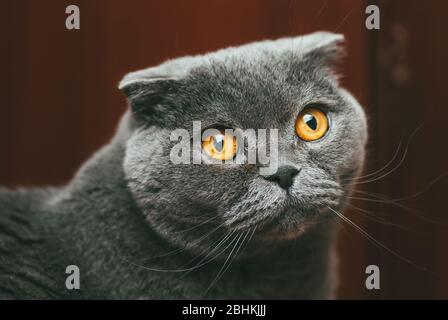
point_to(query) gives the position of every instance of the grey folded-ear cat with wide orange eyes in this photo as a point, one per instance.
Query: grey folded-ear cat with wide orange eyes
(138, 226)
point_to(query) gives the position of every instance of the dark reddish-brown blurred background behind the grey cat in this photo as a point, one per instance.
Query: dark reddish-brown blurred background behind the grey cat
(59, 103)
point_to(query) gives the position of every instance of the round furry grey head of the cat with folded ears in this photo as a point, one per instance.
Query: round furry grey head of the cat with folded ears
(260, 86)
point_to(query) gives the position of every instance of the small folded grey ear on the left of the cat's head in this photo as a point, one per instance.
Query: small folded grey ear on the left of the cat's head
(151, 96)
